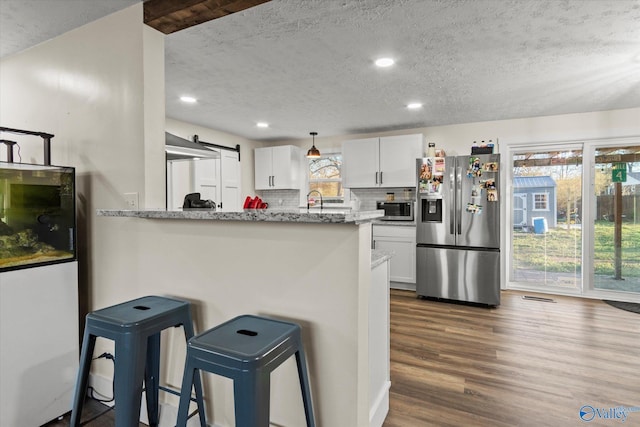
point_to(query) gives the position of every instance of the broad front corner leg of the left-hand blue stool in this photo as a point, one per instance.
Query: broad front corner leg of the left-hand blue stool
(128, 377)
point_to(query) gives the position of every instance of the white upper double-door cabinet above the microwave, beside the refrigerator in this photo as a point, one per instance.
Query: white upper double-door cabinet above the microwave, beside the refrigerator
(388, 161)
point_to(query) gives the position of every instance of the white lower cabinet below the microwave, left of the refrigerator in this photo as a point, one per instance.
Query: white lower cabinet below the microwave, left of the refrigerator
(402, 241)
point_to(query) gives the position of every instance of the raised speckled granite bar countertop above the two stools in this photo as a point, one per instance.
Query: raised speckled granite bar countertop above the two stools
(255, 215)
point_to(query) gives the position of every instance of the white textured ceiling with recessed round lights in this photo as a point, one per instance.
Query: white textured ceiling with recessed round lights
(306, 65)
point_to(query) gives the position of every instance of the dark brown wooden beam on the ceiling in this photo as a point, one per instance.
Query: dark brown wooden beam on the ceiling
(169, 16)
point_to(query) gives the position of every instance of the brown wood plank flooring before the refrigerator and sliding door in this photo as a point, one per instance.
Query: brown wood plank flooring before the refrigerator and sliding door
(525, 363)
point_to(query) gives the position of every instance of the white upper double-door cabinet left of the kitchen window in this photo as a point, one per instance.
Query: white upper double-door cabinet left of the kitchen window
(277, 168)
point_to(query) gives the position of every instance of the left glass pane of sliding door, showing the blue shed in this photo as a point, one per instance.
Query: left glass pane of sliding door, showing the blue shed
(546, 242)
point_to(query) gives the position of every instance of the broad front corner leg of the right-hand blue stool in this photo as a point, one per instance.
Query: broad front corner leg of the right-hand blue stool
(251, 392)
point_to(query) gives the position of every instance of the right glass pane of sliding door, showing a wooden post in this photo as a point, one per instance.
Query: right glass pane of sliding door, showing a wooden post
(617, 219)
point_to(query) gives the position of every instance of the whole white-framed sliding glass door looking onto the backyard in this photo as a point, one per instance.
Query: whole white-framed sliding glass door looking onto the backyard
(574, 218)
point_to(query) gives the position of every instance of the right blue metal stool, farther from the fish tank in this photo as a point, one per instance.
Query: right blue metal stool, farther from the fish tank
(246, 349)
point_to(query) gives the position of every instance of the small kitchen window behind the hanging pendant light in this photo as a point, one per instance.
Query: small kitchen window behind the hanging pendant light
(325, 176)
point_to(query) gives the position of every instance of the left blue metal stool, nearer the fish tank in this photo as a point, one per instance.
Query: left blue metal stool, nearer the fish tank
(135, 327)
